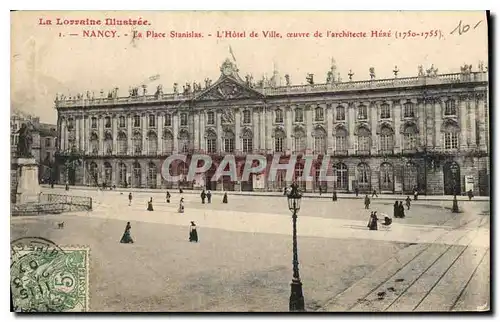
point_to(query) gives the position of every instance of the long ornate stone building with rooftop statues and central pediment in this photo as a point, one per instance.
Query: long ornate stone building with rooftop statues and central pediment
(394, 135)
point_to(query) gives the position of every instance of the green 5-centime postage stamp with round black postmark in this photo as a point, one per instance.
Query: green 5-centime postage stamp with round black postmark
(45, 277)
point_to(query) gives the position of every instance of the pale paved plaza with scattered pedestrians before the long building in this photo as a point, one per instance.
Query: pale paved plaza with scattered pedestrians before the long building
(432, 260)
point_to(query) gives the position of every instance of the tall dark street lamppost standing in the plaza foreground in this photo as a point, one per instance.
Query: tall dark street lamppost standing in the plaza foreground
(296, 296)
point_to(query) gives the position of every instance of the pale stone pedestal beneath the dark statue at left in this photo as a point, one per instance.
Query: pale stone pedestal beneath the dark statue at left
(28, 188)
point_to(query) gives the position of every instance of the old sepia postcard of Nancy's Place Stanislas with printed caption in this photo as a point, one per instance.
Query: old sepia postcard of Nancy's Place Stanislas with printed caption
(250, 161)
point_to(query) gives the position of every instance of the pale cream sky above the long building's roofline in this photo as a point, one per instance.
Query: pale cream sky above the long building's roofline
(44, 63)
